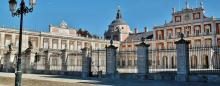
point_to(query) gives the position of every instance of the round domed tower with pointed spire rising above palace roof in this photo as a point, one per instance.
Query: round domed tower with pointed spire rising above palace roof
(118, 30)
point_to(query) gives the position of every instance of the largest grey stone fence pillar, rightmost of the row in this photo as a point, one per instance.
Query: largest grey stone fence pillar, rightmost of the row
(182, 51)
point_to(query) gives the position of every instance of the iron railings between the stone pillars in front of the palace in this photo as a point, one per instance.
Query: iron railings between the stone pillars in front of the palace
(201, 60)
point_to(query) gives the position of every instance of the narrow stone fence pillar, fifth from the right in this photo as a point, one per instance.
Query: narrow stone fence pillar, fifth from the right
(64, 57)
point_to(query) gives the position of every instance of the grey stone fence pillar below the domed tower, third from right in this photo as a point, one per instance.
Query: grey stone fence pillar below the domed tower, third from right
(111, 70)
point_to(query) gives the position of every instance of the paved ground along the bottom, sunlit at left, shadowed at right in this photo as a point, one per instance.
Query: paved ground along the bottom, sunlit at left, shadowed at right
(7, 79)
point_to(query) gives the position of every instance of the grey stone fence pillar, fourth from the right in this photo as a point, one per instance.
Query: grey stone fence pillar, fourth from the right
(86, 66)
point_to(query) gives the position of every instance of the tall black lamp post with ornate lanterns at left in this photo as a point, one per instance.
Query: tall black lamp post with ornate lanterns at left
(23, 9)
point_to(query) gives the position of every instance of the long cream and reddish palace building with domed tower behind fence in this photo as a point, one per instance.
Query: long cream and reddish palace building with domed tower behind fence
(199, 29)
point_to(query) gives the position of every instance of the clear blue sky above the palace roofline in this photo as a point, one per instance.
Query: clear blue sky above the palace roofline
(96, 15)
